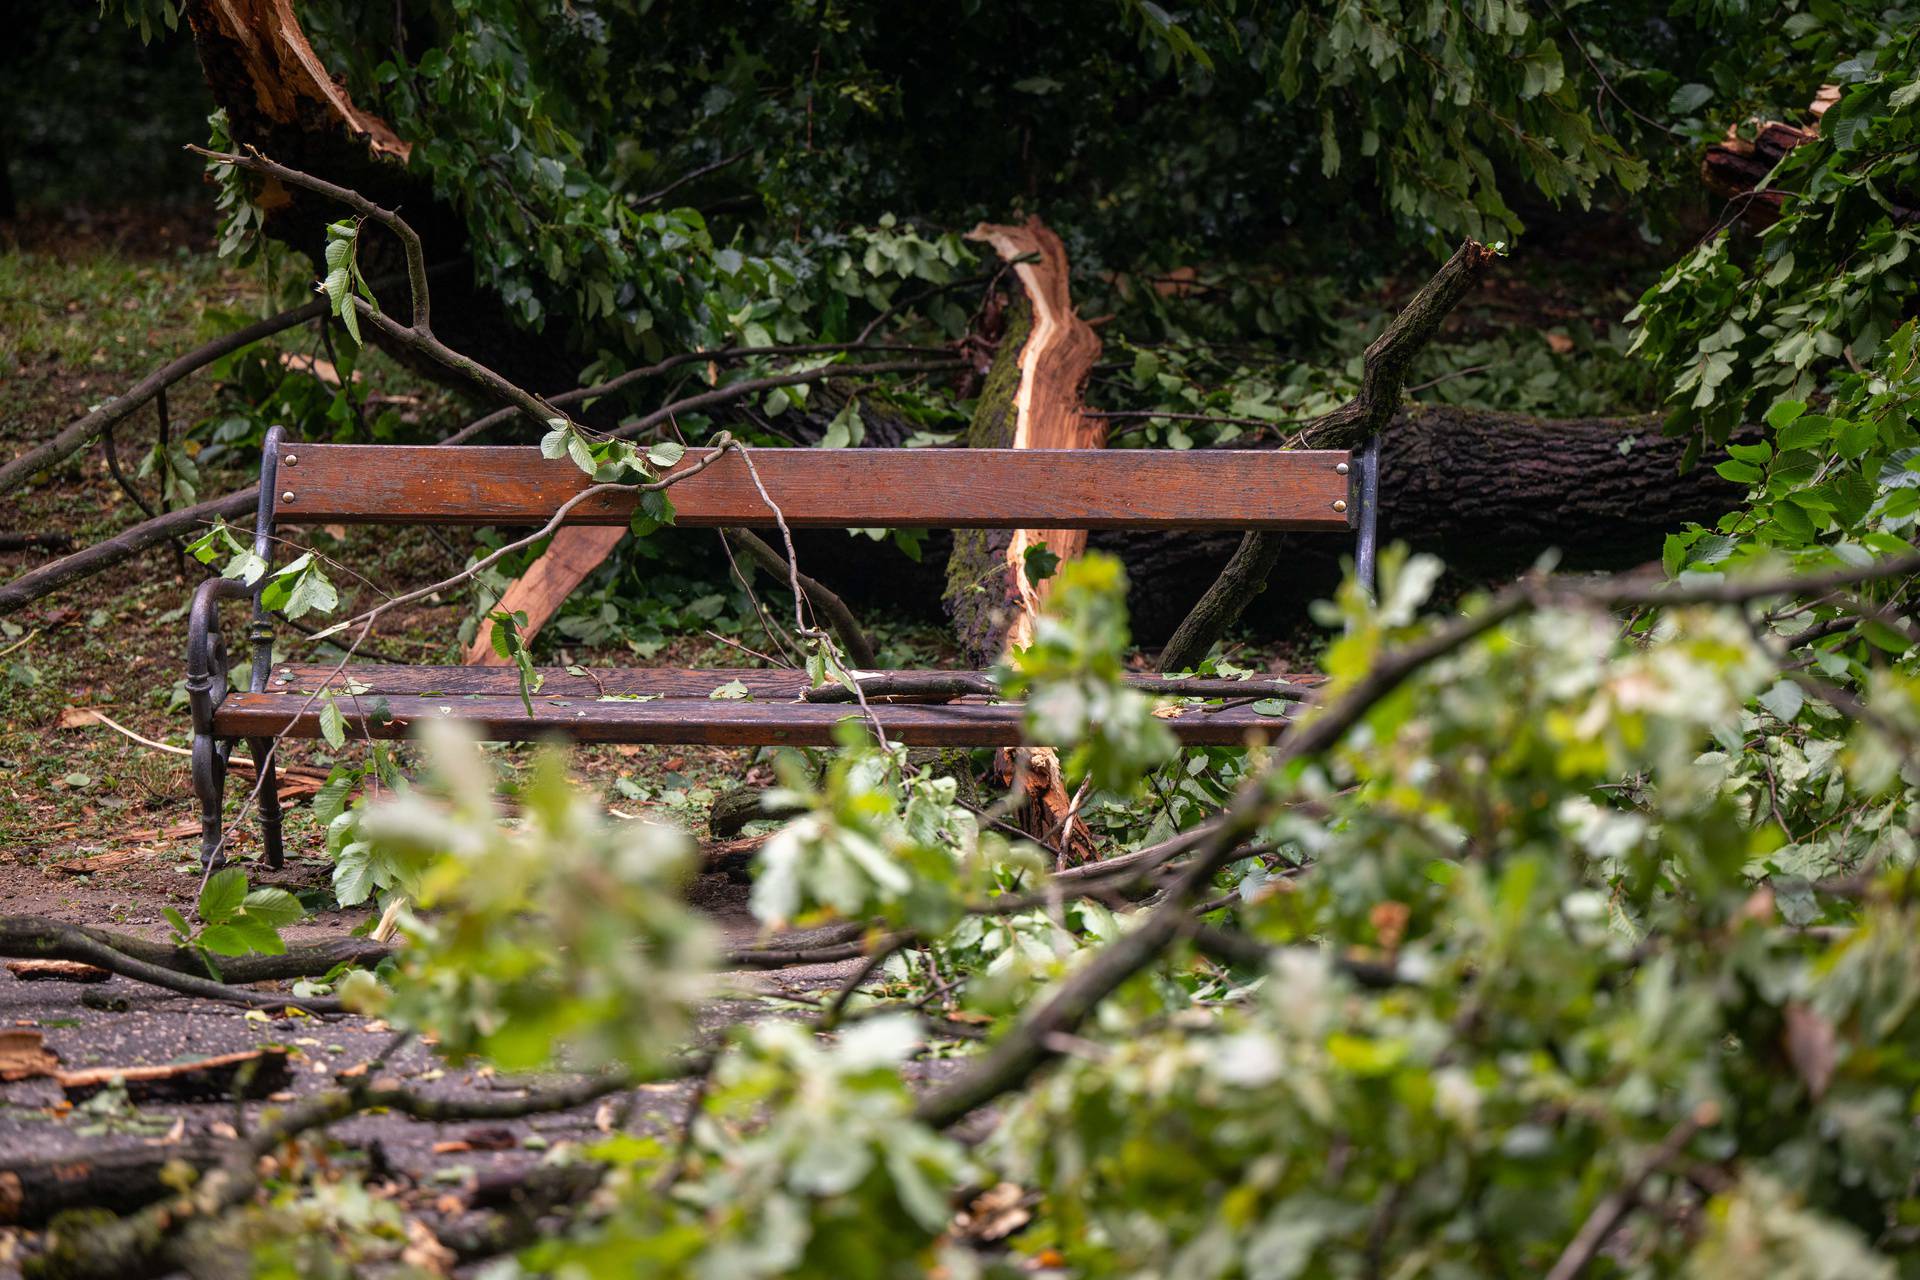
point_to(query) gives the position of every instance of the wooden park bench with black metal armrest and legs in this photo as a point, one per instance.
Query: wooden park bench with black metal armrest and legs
(817, 488)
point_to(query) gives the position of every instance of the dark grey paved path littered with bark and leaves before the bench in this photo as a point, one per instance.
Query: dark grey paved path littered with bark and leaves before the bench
(427, 1170)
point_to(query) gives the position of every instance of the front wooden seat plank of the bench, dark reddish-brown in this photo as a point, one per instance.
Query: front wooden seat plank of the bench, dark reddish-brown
(696, 721)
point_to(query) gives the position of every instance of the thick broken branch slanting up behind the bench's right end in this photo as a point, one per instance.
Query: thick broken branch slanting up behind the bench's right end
(1355, 423)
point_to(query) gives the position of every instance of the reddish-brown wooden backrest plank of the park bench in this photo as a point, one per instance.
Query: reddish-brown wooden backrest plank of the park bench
(836, 488)
